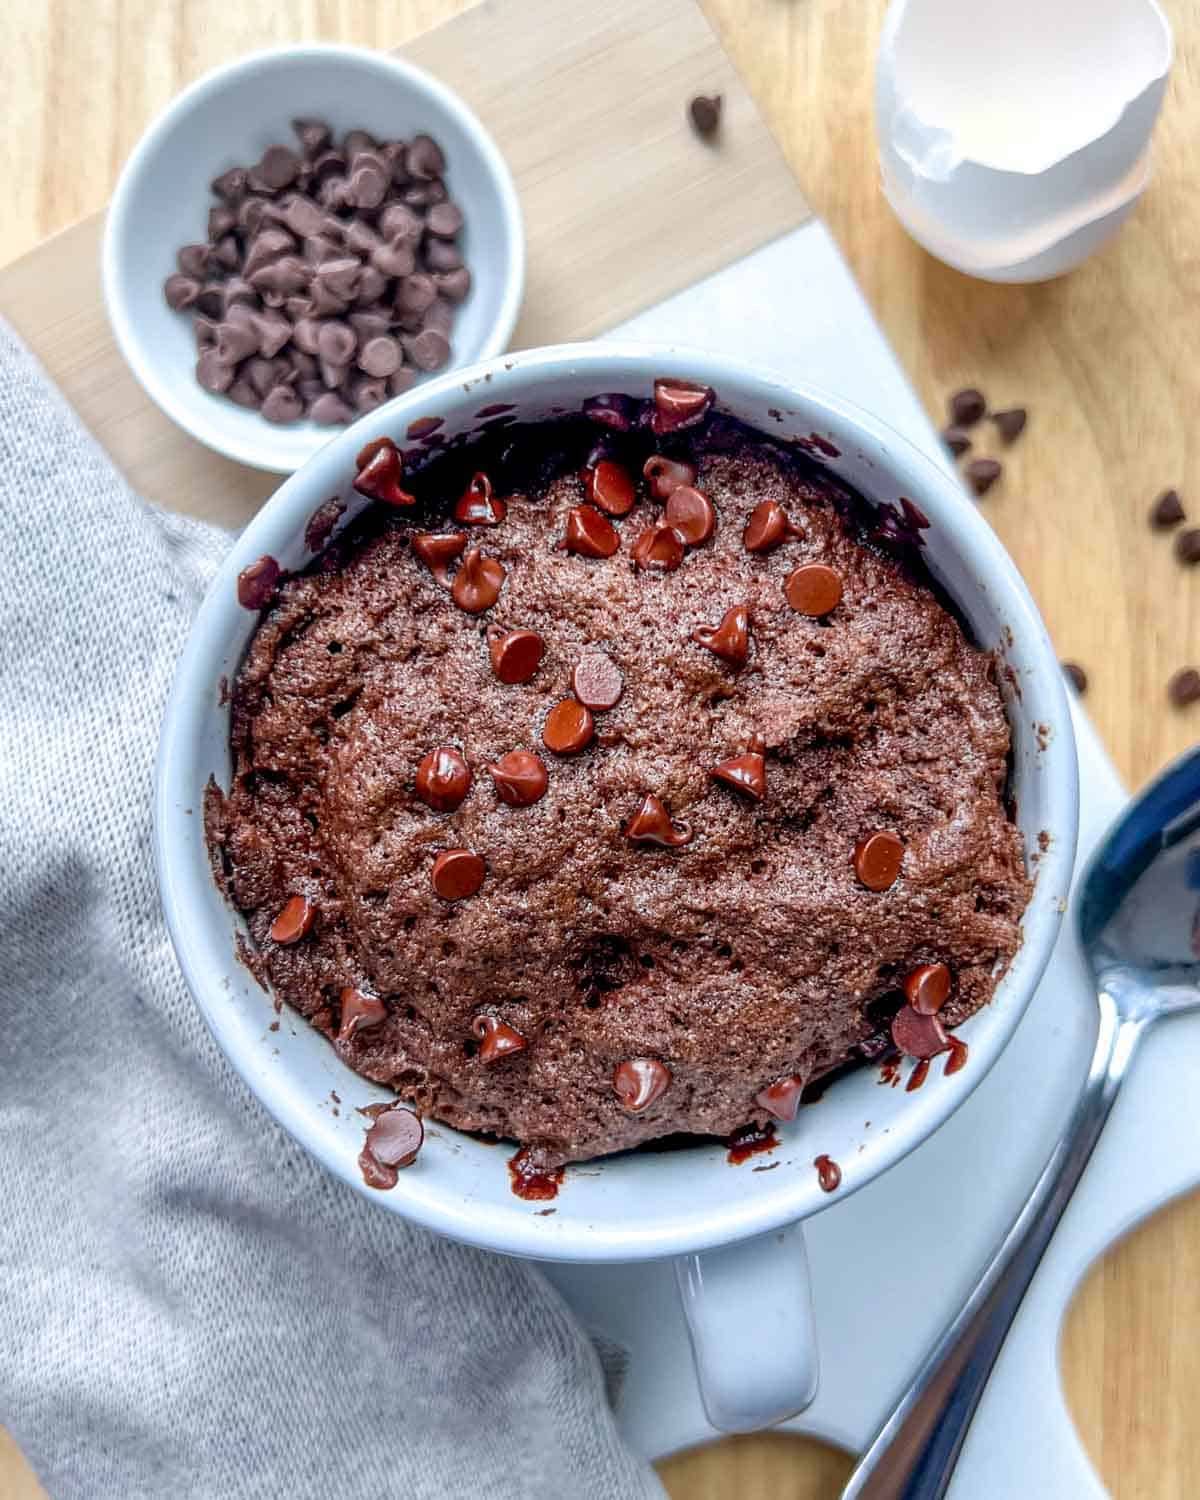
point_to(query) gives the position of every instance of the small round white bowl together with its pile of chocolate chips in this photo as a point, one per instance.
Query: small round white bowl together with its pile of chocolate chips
(302, 238)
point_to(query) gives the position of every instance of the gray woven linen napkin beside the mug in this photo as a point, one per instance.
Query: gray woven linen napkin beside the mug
(190, 1307)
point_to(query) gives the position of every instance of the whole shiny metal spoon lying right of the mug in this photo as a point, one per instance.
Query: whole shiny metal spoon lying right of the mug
(1139, 923)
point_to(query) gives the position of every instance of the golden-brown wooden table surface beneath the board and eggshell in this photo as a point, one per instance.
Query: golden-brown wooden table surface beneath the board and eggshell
(1105, 364)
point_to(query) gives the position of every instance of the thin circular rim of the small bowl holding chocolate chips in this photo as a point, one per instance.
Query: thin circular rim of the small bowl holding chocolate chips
(154, 382)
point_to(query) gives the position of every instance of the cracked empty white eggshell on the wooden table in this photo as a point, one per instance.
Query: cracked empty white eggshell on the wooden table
(1013, 146)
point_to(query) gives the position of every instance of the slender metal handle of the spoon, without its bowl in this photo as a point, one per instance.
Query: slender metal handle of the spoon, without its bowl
(916, 1451)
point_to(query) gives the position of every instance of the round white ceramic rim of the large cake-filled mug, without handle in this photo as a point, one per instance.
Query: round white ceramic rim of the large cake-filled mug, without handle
(712, 1222)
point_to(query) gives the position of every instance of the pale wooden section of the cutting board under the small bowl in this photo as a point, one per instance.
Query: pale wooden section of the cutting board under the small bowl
(623, 203)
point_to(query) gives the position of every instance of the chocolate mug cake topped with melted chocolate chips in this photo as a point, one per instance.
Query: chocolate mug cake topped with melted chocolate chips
(619, 776)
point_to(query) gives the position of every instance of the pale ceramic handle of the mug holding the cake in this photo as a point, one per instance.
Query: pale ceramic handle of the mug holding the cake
(749, 1312)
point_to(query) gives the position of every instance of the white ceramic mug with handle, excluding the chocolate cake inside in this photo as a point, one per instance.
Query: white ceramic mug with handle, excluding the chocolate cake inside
(736, 1234)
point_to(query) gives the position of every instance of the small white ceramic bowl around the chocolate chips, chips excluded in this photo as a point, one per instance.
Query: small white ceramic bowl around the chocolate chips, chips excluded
(229, 119)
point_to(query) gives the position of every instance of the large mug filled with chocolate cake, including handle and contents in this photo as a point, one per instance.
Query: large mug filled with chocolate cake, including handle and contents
(613, 805)
